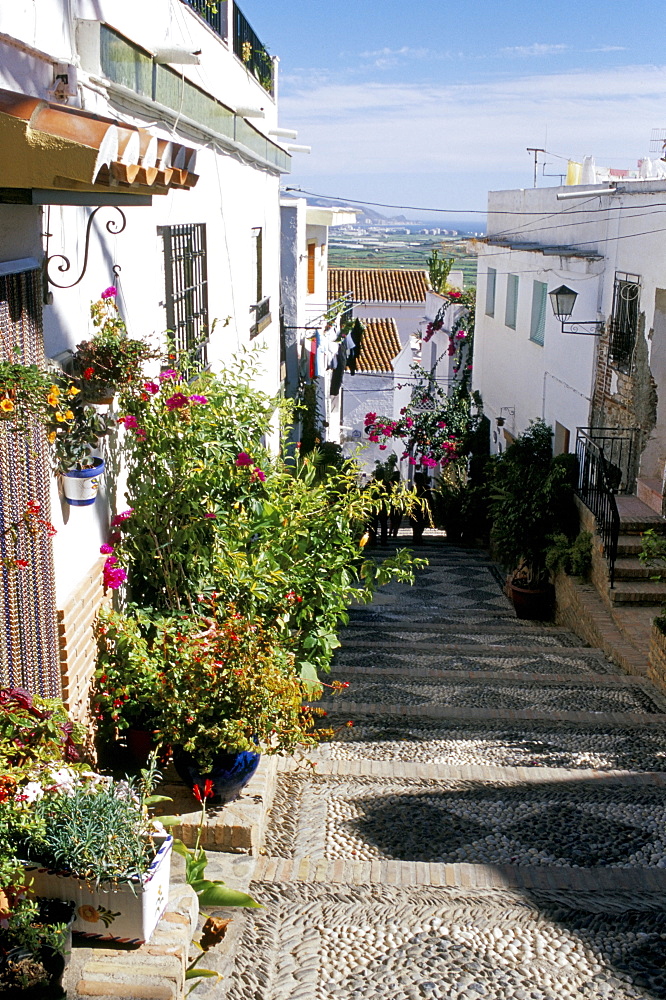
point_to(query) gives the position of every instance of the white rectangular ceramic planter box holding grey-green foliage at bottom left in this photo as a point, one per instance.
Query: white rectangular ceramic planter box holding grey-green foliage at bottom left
(127, 913)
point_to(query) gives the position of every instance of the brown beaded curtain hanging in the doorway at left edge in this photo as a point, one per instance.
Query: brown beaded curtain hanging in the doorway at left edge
(29, 633)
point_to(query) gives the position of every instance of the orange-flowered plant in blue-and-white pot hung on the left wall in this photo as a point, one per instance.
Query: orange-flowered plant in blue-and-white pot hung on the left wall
(74, 438)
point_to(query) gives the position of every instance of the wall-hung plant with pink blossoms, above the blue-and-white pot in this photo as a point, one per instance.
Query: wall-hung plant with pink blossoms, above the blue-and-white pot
(111, 359)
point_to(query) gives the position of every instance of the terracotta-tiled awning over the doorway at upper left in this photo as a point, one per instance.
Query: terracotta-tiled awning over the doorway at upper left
(55, 147)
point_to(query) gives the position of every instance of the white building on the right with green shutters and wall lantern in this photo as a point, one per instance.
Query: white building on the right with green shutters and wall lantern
(606, 242)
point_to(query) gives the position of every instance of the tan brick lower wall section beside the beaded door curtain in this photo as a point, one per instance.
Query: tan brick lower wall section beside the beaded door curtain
(77, 644)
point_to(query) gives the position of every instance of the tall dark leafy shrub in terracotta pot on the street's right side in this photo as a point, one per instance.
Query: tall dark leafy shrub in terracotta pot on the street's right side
(531, 500)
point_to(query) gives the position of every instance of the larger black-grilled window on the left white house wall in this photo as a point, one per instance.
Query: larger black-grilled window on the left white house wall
(186, 281)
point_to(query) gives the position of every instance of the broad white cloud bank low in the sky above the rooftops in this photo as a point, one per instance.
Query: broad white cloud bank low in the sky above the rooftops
(456, 128)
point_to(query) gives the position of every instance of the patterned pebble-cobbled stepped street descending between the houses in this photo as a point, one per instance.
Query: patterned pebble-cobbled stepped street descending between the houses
(491, 827)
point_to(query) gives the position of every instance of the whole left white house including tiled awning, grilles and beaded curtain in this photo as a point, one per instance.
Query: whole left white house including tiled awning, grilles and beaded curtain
(166, 112)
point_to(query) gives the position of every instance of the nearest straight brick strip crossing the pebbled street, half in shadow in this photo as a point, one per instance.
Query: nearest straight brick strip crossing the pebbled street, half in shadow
(635, 881)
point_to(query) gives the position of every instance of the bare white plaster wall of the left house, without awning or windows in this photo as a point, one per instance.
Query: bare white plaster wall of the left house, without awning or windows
(236, 197)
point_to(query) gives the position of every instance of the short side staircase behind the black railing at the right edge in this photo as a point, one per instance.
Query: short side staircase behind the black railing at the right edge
(634, 583)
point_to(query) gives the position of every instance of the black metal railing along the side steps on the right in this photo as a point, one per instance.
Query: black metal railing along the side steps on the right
(595, 490)
